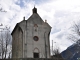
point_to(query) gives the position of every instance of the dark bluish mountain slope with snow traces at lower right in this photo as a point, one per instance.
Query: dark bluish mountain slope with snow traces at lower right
(72, 52)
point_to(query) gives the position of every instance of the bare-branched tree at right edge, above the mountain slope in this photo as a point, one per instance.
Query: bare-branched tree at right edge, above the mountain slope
(74, 36)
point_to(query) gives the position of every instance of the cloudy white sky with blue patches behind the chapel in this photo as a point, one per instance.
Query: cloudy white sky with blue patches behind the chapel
(60, 14)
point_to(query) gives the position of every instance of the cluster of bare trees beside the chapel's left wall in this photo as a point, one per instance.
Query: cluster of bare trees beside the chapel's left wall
(5, 42)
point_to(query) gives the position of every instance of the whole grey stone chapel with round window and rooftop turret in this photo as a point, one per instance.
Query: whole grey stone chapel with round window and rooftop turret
(30, 38)
